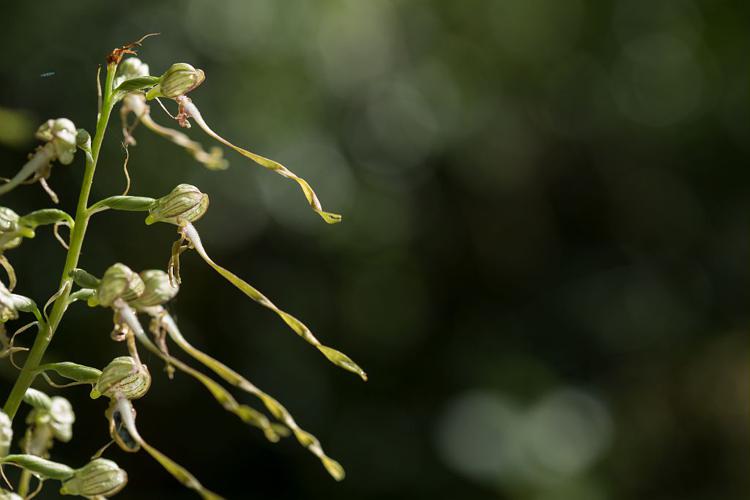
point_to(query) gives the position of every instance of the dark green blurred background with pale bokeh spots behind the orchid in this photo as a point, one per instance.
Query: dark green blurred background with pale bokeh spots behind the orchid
(542, 264)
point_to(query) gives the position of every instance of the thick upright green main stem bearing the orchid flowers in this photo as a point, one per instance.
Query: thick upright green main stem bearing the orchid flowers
(46, 332)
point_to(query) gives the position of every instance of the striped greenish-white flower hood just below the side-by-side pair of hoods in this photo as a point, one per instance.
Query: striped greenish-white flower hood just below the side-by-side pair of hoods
(124, 377)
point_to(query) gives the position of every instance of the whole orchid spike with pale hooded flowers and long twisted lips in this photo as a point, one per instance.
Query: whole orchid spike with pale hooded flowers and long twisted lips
(129, 295)
